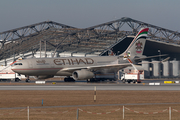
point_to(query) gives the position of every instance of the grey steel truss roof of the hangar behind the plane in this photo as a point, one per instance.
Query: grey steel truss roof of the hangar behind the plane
(60, 37)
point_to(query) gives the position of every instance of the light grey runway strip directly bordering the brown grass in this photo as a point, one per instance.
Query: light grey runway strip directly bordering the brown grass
(91, 87)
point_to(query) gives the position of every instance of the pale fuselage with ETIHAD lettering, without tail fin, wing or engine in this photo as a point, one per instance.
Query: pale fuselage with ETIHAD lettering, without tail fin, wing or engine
(54, 66)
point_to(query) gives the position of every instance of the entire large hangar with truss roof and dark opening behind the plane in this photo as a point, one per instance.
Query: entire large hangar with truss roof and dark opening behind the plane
(52, 39)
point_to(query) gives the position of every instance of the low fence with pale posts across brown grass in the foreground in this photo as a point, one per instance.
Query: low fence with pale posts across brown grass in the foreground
(114, 112)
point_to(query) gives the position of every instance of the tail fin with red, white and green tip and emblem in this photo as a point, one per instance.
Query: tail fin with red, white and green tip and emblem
(136, 47)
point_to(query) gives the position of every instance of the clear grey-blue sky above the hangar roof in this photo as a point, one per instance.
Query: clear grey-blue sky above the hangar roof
(87, 13)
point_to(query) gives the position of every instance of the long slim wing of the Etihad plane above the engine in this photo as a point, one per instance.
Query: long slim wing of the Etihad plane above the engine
(98, 67)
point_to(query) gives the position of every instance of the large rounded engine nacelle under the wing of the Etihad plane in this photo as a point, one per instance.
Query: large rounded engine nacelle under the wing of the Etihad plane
(82, 74)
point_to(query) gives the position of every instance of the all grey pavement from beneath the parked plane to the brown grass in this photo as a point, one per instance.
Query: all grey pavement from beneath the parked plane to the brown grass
(83, 85)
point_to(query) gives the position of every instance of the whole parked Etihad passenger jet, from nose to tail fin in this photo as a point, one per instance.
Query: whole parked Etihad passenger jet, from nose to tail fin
(82, 68)
